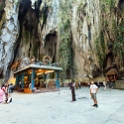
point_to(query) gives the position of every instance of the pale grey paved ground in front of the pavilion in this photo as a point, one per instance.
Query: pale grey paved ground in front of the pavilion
(55, 108)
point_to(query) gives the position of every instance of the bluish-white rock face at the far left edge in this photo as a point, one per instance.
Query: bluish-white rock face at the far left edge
(9, 35)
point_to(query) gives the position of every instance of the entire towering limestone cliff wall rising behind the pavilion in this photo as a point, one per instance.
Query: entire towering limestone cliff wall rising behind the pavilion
(73, 33)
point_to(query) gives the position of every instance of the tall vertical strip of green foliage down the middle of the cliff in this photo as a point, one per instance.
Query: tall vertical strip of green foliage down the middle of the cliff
(65, 51)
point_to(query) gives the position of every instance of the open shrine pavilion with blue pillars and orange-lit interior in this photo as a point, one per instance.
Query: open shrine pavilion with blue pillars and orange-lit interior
(29, 75)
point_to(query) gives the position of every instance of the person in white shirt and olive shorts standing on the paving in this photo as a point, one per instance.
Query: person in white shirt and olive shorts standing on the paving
(93, 92)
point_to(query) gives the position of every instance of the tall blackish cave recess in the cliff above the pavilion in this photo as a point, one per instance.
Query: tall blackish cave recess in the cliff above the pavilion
(29, 19)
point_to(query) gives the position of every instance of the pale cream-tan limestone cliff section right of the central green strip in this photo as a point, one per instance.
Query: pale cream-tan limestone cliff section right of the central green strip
(85, 30)
